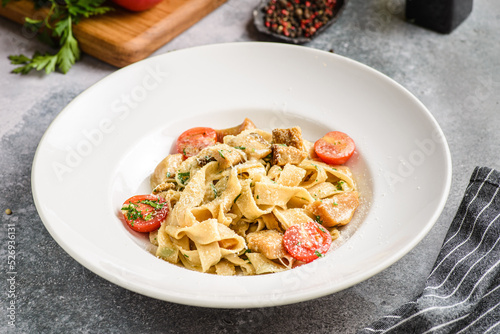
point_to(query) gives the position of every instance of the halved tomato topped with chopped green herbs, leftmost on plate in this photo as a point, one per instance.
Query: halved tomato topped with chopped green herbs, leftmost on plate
(144, 213)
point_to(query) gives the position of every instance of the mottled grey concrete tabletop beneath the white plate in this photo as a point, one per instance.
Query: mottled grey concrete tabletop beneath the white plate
(457, 76)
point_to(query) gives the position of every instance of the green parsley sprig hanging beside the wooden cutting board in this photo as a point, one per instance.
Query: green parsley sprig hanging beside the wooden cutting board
(56, 29)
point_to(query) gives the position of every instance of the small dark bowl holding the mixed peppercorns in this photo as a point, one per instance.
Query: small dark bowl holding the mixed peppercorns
(258, 16)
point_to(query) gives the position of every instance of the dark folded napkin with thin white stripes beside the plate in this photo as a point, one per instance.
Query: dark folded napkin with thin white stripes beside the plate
(462, 292)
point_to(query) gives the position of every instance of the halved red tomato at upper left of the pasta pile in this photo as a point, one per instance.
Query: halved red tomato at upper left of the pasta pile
(192, 141)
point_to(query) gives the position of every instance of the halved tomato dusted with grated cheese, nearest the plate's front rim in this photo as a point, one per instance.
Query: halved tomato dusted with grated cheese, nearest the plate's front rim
(307, 242)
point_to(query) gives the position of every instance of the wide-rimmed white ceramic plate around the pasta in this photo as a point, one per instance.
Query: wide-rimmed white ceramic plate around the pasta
(103, 146)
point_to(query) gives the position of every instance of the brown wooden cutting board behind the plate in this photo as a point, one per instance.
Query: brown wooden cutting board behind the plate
(122, 37)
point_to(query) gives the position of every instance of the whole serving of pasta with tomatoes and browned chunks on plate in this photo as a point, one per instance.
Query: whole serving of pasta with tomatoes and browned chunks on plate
(243, 201)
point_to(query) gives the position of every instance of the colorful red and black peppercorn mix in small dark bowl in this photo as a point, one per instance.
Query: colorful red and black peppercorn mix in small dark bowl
(297, 18)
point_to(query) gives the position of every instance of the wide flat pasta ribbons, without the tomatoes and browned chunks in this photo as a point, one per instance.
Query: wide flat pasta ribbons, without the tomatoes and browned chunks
(217, 204)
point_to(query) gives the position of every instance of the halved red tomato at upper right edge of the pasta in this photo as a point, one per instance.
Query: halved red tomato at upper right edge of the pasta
(335, 148)
